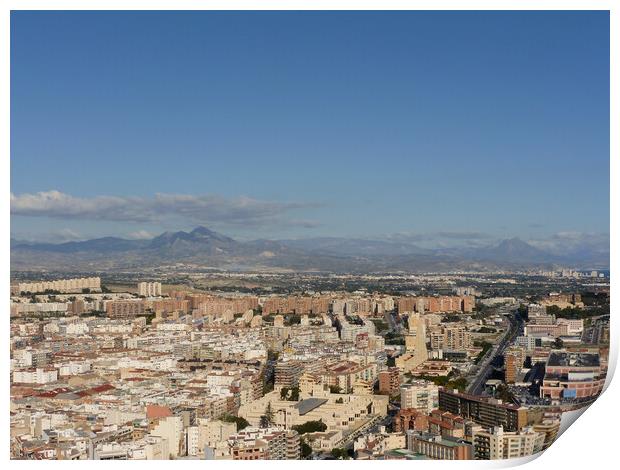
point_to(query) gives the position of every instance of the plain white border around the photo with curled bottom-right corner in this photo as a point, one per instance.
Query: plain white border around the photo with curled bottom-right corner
(590, 443)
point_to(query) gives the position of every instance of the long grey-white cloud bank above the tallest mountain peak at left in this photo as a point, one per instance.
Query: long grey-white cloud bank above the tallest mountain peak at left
(199, 209)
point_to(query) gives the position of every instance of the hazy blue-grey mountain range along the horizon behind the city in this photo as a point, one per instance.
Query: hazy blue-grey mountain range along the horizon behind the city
(206, 248)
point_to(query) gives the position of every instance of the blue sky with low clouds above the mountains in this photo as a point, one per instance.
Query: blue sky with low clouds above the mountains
(282, 125)
